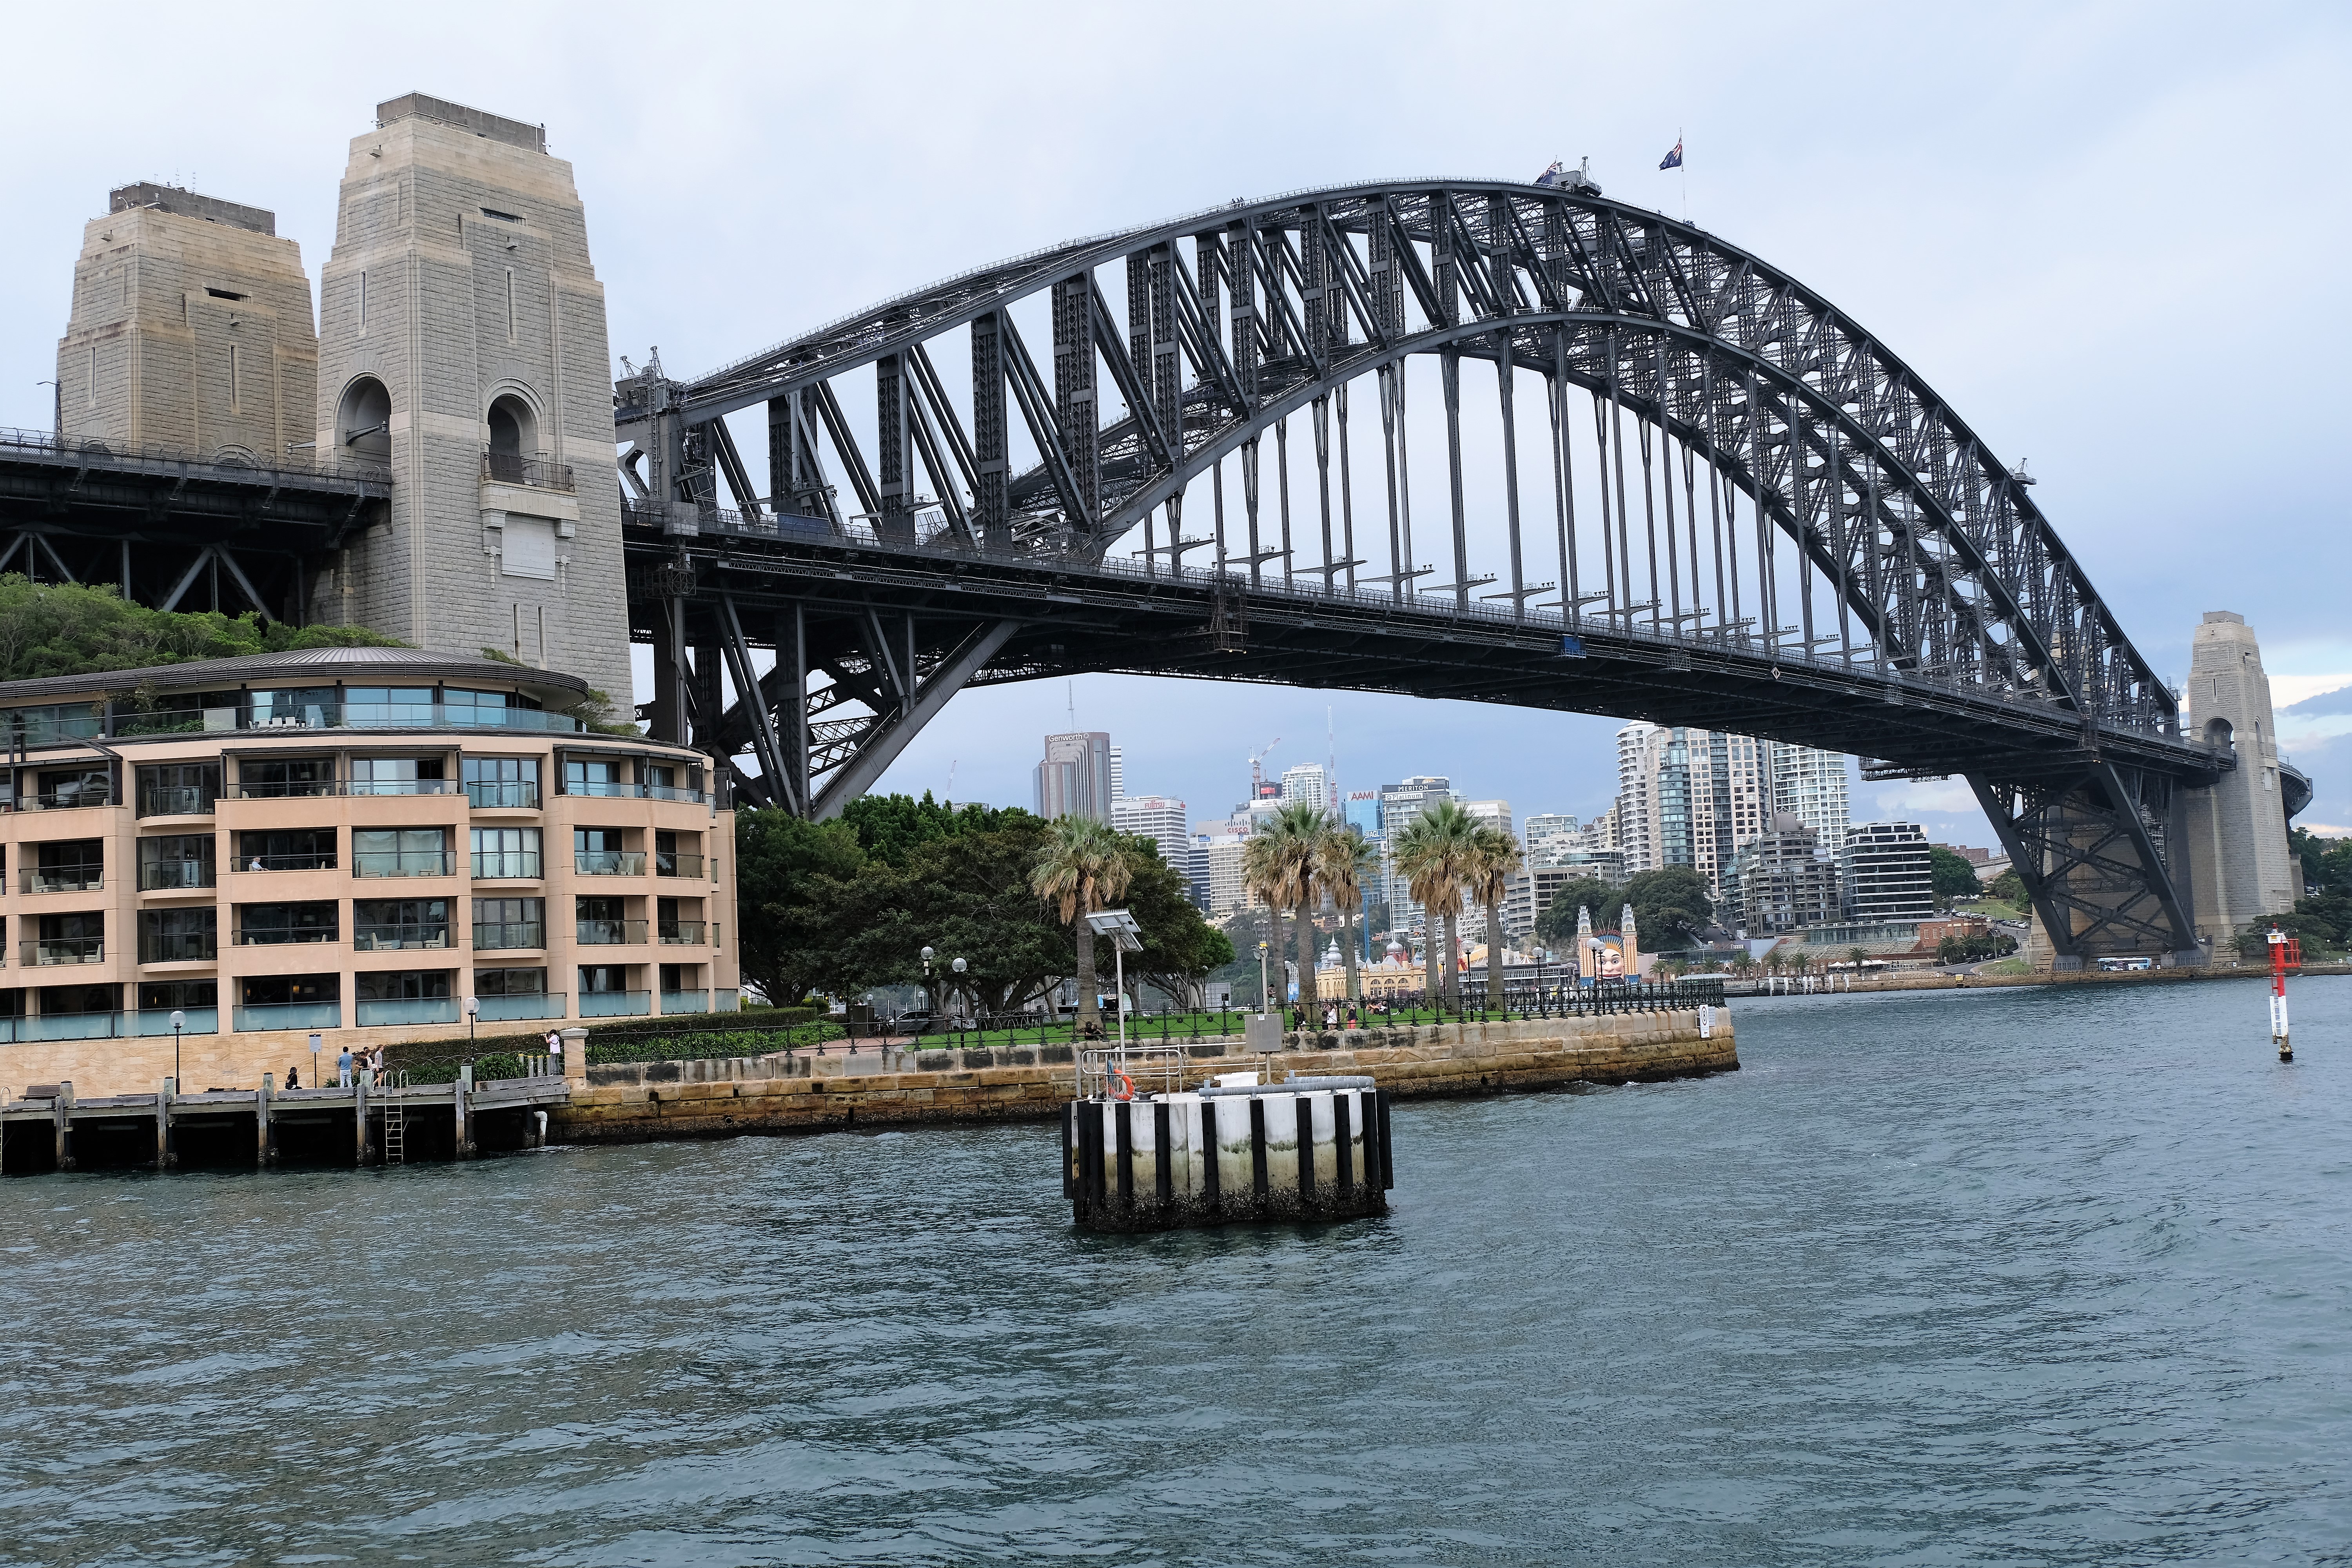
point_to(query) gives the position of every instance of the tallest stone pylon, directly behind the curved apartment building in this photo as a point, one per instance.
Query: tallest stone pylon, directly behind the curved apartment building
(462, 344)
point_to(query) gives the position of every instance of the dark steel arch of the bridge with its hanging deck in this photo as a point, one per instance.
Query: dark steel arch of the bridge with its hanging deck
(1869, 504)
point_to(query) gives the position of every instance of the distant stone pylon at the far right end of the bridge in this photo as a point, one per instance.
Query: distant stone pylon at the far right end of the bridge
(2233, 833)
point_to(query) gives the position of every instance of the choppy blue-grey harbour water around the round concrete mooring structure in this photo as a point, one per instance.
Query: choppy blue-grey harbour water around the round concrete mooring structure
(1937, 1280)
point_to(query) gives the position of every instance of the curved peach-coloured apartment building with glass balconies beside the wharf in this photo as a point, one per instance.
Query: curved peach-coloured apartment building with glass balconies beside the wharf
(363, 845)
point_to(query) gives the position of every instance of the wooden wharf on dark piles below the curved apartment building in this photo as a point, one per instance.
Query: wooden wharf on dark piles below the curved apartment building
(361, 1125)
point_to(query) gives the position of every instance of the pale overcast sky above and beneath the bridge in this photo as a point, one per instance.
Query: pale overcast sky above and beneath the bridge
(2106, 234)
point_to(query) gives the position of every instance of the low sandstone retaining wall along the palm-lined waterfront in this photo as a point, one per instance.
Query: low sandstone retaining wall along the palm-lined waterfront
(803, 1092)
